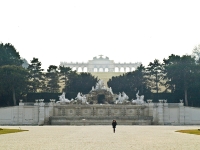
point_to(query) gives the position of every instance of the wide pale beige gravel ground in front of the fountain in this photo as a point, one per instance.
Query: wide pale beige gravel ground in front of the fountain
(100, 138)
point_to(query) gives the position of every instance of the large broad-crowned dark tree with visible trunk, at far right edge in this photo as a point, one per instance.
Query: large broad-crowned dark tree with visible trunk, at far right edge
(182, 73)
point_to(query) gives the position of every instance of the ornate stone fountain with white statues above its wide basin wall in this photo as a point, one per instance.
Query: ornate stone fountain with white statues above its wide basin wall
(99, 107)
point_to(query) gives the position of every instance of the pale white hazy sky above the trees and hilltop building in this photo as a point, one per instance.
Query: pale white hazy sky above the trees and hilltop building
(78, 30)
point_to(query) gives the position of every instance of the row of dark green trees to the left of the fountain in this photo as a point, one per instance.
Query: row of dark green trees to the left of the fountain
(16, 80)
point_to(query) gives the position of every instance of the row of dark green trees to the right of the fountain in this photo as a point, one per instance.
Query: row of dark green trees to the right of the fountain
(179, 75)
